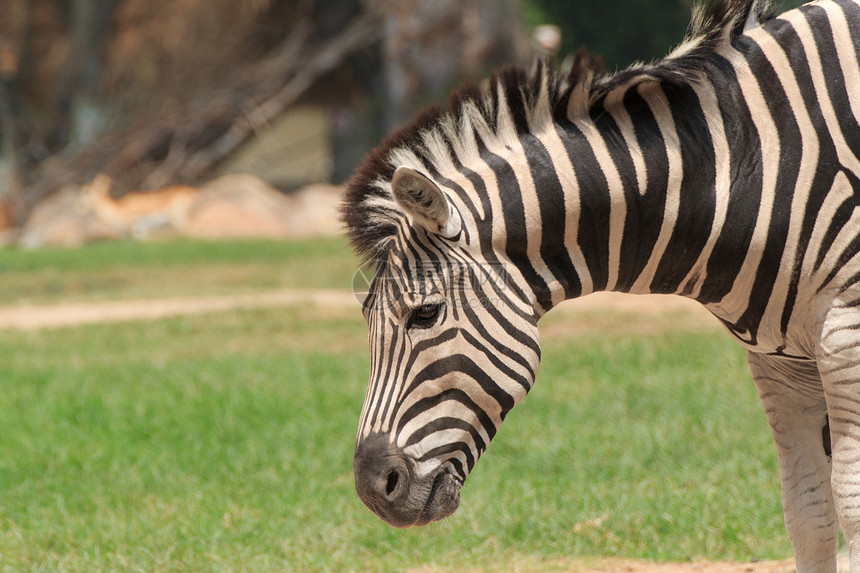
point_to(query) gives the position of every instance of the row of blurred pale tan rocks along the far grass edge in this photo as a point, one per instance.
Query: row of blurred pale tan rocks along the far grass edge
(232, 206)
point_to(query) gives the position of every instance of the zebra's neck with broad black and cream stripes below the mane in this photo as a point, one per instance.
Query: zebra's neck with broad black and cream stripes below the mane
(626, 197)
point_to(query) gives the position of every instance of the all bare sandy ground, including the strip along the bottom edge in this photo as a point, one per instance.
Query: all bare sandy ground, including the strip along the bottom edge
(656, 311)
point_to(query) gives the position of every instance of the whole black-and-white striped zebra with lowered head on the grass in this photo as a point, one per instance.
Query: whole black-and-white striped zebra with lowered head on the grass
(727, 172)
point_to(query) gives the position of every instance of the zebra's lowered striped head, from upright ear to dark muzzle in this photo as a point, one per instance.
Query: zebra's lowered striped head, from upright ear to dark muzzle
(454, 346)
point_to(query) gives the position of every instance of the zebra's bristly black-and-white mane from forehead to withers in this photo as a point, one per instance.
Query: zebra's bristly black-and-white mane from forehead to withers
(438, 137)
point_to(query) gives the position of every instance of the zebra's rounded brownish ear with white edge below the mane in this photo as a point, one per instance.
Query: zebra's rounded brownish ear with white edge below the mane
(421, 198)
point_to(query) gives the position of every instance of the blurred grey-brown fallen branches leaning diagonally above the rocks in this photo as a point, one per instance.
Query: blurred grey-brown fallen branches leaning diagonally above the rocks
(188, 144)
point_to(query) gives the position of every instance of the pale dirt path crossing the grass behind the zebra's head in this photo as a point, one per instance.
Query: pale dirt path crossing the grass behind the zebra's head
(35, 317)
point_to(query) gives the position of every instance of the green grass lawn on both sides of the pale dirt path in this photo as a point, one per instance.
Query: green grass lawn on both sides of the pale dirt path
(223, 442)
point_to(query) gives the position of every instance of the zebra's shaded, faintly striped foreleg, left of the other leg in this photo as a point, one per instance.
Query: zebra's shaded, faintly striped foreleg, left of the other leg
(796, 410)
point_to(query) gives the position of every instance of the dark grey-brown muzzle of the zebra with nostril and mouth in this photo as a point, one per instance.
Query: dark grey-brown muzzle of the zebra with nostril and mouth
(388, 483)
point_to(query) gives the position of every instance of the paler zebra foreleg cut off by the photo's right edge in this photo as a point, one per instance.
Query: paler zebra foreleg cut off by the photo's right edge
(839, 365)
